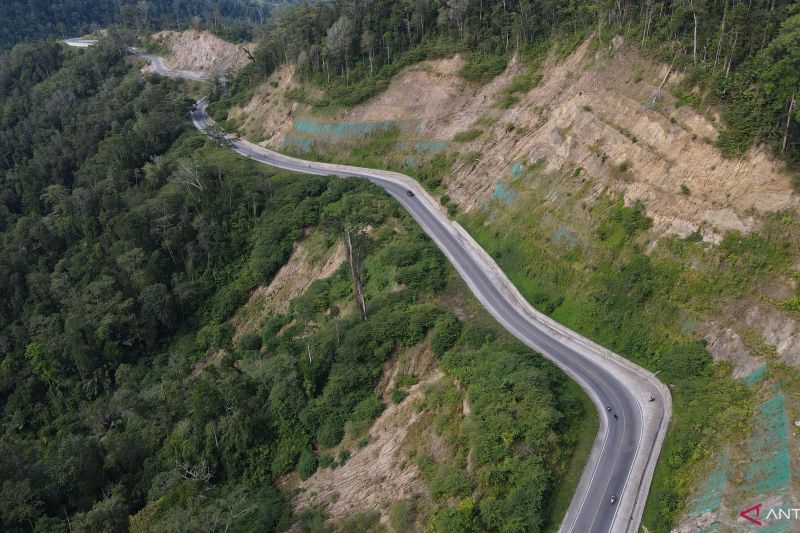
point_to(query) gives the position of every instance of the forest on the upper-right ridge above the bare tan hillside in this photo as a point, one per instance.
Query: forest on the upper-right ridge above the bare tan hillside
(741, 57)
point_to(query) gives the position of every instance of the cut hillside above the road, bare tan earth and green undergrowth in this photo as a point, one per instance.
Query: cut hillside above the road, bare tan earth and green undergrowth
(612, 208)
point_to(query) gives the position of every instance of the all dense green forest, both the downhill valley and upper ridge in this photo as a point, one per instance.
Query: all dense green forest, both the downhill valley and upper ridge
(128, 241)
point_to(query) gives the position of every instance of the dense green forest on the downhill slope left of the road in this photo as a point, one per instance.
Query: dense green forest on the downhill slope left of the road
(128, 240)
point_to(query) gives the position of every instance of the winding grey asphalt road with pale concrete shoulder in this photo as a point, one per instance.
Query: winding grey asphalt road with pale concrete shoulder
(626, 448)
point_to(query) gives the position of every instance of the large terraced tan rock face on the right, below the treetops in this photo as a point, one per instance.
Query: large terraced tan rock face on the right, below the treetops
(594, 111)
